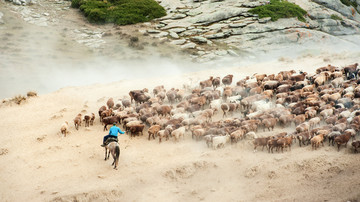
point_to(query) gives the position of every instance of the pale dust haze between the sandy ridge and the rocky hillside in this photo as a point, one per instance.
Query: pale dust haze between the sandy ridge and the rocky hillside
(40, 59)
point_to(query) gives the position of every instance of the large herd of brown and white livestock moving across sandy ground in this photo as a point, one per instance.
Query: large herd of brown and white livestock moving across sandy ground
(323, 106)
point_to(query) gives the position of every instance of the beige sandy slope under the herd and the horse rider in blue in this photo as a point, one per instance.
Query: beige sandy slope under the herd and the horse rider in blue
(37, 164)
